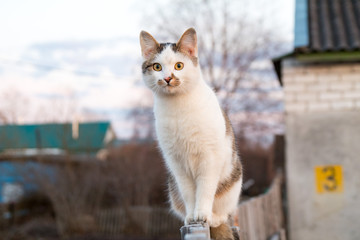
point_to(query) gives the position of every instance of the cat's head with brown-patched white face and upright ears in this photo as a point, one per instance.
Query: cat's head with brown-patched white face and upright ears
(170, 68)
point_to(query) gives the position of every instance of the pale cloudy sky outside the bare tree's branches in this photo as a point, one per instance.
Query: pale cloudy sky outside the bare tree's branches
(81, 58)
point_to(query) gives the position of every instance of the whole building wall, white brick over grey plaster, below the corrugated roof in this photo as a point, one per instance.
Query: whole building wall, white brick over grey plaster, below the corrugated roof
(322, 128)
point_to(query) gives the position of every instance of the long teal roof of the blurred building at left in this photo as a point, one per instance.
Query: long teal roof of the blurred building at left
(91, 136)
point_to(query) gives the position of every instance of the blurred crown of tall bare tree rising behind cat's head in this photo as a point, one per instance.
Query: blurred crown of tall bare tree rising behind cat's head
(230, 40)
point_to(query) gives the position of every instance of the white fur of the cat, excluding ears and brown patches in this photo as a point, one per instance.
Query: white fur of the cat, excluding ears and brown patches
(191, 131)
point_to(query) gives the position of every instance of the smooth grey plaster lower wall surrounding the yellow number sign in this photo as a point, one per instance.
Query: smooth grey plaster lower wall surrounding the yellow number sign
(318, 139)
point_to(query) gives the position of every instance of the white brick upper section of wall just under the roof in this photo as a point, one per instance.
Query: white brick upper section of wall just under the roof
(316, 88)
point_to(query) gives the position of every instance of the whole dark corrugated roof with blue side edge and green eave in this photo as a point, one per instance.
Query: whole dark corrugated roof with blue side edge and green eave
(325, 31)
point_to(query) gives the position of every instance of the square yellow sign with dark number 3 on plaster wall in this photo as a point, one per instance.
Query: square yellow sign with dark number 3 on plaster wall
(329, 179)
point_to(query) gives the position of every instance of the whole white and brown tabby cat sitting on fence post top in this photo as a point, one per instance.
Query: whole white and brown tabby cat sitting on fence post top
(194, 134)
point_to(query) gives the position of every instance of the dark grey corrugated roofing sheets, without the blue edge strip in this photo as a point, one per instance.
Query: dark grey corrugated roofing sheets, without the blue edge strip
(334, 25)
